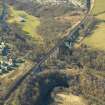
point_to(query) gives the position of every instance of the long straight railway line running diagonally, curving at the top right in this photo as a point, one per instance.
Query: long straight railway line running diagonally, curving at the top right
(36, 68)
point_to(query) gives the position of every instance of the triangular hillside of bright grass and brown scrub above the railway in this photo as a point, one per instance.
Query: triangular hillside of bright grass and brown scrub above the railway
(44, 23)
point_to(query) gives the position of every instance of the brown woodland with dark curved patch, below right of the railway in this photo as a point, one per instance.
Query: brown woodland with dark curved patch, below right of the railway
(89, 82)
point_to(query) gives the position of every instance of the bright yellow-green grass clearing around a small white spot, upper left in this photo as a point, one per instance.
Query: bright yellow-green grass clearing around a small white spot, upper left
(28, 23)
